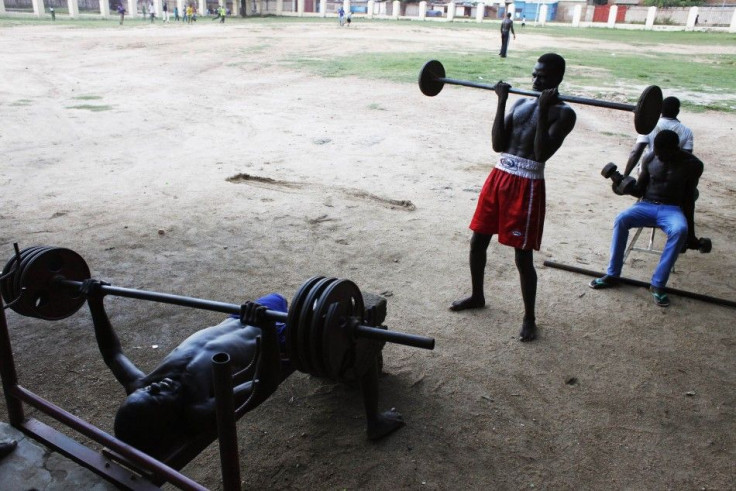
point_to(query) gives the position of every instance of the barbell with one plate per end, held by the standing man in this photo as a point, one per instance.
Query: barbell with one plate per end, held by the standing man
(646, 111)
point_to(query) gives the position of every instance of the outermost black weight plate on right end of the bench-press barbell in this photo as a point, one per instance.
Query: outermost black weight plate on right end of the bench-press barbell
(338, 343)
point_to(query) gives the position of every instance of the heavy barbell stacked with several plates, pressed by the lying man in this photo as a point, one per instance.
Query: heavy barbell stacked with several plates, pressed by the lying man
(328, 331)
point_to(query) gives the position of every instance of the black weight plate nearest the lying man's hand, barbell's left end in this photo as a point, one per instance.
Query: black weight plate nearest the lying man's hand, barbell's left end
(47, 300)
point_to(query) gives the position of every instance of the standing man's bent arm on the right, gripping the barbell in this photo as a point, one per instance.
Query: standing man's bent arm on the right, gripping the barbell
(549, 137)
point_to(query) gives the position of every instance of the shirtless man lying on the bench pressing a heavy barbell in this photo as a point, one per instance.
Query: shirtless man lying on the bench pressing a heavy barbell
(176, 399)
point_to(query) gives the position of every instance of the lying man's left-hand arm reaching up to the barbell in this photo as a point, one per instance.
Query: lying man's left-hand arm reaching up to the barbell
(107, 341)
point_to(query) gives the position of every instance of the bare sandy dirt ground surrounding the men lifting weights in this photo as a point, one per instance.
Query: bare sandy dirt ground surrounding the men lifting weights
(119, 144)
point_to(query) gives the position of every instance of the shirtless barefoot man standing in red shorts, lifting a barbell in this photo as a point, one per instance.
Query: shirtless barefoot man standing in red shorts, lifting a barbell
(512, 201)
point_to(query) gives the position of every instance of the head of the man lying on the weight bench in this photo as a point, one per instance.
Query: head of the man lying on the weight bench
(150, 415)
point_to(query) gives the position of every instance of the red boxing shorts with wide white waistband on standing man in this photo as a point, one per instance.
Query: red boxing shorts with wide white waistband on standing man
(512, 203)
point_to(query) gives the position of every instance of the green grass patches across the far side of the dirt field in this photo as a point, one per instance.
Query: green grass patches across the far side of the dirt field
(697, 68)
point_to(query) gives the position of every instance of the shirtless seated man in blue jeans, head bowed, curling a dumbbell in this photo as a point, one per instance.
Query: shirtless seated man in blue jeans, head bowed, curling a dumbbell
(666, 185)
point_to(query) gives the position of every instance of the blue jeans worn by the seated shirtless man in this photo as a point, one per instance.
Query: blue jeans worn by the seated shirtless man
(669, 218)
